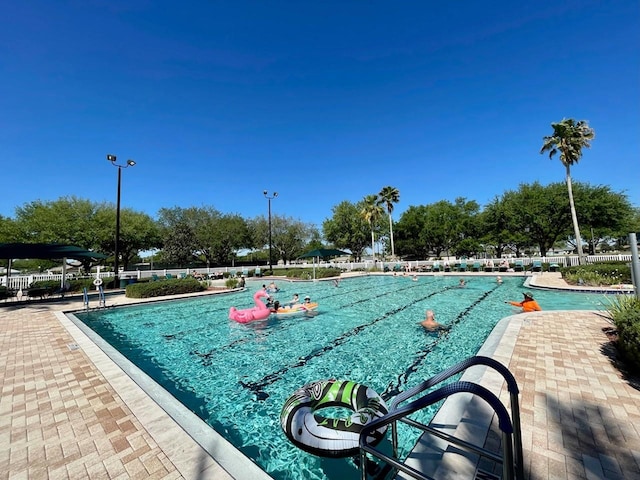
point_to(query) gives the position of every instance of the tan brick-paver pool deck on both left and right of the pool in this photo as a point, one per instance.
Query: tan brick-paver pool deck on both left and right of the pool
(68, 411)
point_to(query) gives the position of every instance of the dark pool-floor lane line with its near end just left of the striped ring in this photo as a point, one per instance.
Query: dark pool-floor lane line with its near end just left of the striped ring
(258, 387)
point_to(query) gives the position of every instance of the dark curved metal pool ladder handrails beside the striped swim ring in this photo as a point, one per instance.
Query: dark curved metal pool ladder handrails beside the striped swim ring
(511, 458)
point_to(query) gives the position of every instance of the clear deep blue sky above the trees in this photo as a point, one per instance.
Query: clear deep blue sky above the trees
(322, 102)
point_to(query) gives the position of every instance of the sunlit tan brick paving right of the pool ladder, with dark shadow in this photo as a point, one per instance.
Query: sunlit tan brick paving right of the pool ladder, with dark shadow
(580, 415)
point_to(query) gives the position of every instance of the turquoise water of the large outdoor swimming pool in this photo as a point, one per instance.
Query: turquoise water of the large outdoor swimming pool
(237, 377)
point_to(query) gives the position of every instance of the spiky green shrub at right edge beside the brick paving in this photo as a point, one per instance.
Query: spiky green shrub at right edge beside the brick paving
(625, 312)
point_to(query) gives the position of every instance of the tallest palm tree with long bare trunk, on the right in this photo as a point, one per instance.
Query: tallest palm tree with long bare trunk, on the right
(569, 138)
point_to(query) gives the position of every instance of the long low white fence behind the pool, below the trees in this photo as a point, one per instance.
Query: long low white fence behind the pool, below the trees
(22, 282)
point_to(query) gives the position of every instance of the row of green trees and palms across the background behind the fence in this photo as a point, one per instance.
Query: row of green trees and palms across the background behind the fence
(534, 218)
